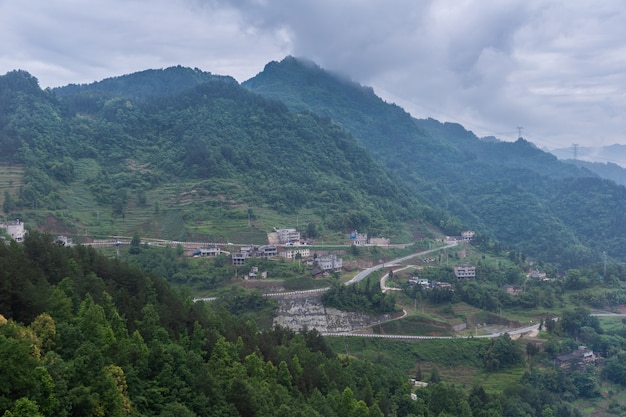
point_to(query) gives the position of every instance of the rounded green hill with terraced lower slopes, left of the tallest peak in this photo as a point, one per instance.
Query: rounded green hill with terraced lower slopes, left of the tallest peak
(126, 137)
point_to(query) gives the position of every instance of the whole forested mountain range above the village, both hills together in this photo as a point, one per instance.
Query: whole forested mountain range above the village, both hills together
(201, 145)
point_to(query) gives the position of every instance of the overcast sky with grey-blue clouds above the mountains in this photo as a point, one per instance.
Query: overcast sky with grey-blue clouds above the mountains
(555, 68)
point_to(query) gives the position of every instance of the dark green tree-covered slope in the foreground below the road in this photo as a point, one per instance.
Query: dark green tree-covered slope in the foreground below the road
(85, 335)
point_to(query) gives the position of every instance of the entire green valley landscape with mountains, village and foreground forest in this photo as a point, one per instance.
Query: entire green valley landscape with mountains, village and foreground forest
(141, 171)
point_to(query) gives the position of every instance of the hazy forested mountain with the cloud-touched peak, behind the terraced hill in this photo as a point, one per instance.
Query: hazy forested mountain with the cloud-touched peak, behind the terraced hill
(513, 192)
